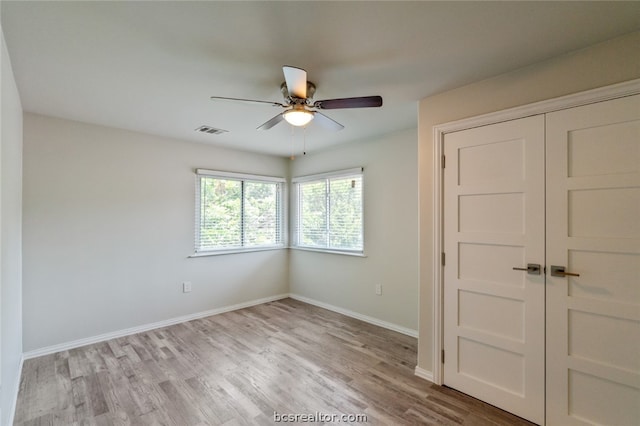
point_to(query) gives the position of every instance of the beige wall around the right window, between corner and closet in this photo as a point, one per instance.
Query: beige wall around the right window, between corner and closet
(390, 236)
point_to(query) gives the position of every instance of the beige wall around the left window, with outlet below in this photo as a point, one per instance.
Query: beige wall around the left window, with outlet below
(108, 228)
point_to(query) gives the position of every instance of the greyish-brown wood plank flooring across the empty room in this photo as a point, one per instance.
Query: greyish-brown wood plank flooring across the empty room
(241, 367)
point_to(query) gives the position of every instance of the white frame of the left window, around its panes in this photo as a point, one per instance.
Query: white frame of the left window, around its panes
(281, 220)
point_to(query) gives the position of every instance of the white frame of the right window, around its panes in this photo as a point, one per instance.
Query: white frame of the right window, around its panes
(296, 181)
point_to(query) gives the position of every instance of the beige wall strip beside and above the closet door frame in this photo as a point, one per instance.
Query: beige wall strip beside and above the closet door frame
(603, 64)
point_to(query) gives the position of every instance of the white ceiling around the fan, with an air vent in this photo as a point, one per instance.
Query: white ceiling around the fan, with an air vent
(151, 66)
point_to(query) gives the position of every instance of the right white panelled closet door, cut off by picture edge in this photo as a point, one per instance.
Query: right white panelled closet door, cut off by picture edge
(593, 229)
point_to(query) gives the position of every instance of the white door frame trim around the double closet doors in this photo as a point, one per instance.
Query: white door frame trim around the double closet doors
(628, 88)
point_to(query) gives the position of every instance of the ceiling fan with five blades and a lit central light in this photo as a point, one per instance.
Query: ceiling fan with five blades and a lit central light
(300, 109)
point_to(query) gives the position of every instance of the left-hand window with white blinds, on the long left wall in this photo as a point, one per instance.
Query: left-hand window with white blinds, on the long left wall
(237, 212)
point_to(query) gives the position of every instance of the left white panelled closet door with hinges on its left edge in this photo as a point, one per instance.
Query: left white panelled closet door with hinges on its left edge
(494, 221)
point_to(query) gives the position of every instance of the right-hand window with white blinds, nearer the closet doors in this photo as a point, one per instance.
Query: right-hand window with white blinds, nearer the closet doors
(329, 211)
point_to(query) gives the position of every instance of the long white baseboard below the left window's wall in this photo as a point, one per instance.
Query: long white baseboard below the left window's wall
(146, 327)
